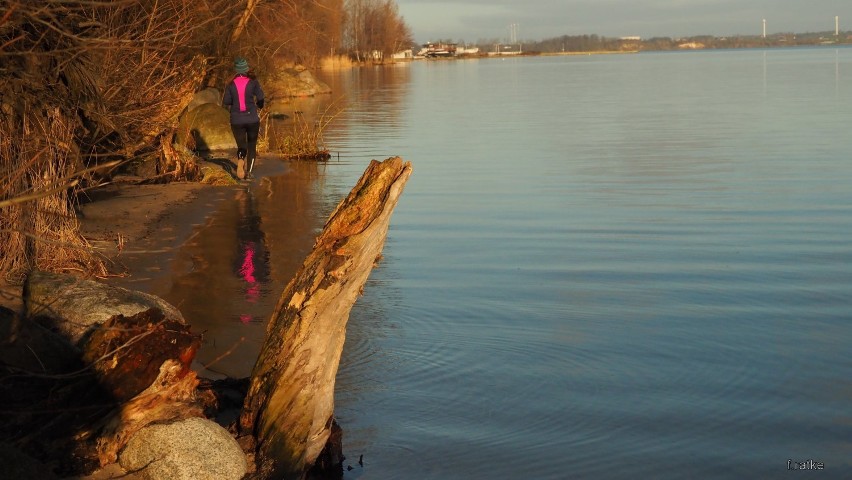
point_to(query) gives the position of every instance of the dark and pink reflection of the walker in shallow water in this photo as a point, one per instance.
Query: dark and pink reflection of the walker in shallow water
(252, 259)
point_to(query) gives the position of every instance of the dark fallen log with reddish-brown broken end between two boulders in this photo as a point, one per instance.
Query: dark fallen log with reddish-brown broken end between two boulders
(128, 373)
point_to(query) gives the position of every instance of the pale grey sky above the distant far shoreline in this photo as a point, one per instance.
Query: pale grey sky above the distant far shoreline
(471, 20)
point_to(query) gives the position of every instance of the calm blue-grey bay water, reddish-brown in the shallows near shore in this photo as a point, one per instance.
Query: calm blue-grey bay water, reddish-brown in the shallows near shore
(631, 266)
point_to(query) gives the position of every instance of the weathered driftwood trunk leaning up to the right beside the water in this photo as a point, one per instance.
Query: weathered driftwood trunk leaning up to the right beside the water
(290, 402)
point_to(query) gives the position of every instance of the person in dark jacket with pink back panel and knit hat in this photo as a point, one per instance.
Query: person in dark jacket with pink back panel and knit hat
(244, 97)
